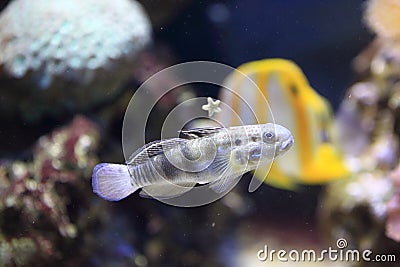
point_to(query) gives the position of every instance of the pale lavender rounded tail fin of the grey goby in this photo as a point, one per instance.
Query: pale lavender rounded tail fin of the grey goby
(112, 182)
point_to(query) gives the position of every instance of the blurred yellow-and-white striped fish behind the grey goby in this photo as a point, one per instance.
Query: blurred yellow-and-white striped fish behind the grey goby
(313, 159)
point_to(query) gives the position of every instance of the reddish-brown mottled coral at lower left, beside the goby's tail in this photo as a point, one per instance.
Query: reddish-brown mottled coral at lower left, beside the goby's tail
(45, 207)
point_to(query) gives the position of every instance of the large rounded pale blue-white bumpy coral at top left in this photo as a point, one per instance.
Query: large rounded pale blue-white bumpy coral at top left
(77, 52)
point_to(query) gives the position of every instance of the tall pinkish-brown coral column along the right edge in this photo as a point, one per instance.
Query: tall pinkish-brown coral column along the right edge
(365, 209)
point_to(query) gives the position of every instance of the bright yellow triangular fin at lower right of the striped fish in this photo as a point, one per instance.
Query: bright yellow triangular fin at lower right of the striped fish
(326, 166)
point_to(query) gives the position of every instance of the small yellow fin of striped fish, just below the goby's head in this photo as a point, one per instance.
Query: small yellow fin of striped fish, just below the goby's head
(275, 177)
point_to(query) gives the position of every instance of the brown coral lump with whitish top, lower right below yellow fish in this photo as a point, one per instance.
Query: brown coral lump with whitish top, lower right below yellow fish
(355, 209)
